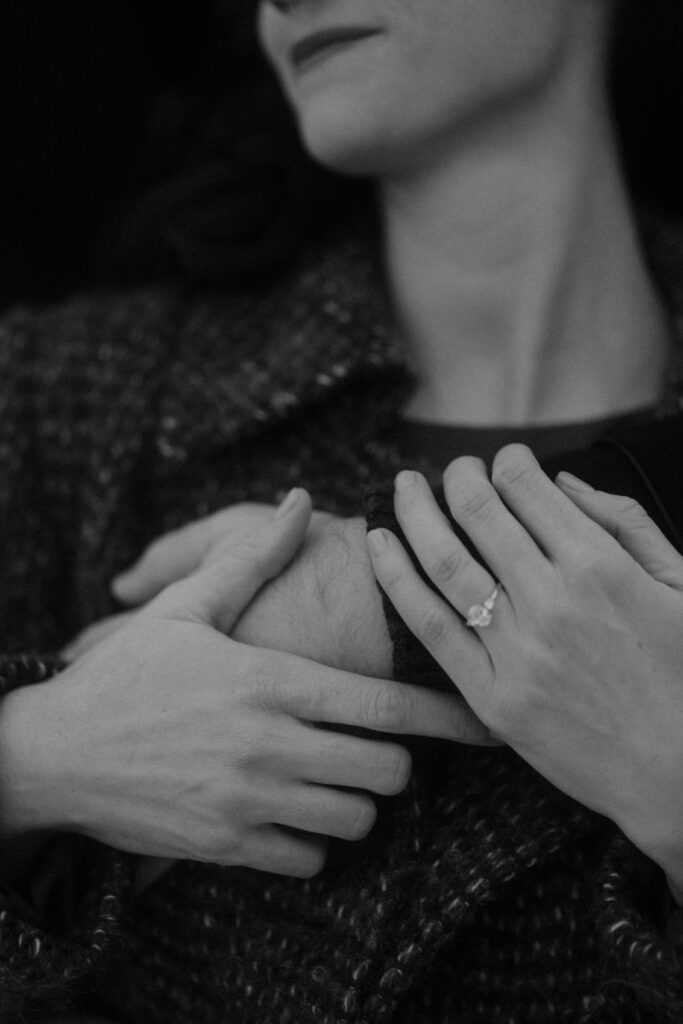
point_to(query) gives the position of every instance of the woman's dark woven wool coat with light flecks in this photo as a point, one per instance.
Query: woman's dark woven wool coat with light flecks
(483, 894)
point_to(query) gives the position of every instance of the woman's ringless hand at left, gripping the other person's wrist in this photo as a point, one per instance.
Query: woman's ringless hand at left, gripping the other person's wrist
(173, 741)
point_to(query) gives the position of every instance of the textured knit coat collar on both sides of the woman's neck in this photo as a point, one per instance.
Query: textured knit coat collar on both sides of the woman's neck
(247, 362)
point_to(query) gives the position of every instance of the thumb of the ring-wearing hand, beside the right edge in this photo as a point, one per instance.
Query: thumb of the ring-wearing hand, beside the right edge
(630, 525)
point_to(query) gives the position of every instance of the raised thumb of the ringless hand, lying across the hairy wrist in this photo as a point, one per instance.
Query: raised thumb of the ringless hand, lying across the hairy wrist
(219, 593)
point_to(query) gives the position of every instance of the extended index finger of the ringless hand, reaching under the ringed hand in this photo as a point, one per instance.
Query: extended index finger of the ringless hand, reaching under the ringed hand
(318, 694)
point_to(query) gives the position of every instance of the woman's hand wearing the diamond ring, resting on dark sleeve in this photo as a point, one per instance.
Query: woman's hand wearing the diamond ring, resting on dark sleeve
(581, 668)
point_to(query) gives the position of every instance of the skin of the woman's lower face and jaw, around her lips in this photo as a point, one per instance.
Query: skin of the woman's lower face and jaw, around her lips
(434, 68)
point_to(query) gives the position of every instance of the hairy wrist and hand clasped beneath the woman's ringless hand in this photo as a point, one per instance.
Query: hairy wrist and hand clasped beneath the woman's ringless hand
(326, 606)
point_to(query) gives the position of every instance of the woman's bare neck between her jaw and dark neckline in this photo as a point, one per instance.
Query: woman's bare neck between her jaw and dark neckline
(516, 271)
